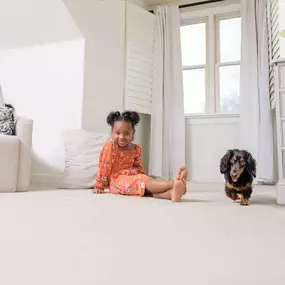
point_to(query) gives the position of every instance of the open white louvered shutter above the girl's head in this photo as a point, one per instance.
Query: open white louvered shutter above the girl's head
(140, 26)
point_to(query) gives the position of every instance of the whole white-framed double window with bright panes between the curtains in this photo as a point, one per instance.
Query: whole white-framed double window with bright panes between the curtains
(211, 47)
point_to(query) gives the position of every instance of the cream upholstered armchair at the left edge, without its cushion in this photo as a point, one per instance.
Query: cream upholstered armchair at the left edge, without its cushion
(15, 157)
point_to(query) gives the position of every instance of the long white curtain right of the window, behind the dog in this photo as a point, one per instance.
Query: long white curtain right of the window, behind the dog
(256, 131)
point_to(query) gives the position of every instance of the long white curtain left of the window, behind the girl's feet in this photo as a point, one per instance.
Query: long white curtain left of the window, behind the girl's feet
(167, 141)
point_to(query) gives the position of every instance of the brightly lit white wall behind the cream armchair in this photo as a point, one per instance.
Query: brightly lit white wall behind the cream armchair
(45, 83)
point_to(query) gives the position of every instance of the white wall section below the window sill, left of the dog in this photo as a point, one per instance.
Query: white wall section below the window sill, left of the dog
(206, 143)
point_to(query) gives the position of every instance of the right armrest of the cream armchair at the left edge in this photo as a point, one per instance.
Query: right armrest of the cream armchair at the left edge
(24, 131)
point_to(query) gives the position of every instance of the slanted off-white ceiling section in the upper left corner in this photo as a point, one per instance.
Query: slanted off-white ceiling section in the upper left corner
(35, 22)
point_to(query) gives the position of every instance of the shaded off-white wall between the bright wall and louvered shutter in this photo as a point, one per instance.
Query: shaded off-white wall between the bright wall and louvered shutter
(102, 24)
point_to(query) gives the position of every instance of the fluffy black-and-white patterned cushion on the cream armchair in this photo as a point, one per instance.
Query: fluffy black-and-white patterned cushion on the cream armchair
(7, 124)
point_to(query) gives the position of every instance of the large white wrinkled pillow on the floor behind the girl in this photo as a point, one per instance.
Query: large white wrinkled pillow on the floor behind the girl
(82, 150)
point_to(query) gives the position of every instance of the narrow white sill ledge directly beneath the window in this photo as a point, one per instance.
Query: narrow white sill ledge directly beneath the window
(197, 119)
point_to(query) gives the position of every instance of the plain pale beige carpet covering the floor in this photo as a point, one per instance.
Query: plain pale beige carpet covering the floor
(74, 237)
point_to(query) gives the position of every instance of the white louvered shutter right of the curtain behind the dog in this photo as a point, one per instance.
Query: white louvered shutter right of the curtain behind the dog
(273, 40)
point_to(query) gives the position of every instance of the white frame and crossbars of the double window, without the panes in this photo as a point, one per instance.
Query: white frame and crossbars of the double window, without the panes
(211, 15)
